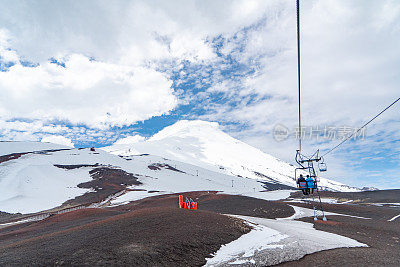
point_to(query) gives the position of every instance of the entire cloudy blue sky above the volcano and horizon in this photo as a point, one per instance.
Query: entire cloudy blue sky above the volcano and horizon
(95, 72)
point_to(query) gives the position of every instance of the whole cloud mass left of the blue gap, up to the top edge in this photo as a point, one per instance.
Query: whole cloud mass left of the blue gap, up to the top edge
(109, 56)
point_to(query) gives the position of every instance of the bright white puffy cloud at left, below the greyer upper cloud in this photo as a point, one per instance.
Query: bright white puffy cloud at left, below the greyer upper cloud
(94, 93)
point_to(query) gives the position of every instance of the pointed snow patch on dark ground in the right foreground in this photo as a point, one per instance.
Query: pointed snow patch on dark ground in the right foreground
(299, 239)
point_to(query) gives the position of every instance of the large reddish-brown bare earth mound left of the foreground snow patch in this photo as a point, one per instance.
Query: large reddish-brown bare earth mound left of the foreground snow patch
(148, 232)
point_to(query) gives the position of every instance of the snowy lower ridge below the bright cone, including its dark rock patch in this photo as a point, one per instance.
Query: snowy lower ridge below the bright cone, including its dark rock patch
(64, 178)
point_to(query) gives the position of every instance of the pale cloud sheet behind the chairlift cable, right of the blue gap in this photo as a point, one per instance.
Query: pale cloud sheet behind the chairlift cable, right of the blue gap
(350, 72)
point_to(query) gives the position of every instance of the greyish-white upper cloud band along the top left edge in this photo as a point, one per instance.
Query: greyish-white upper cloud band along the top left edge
(124, 31)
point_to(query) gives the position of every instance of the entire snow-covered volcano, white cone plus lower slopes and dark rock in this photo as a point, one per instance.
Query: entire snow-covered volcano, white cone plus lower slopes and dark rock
(187, 156)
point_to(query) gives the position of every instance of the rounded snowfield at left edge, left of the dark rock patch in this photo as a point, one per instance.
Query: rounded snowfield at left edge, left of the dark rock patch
(31, 183)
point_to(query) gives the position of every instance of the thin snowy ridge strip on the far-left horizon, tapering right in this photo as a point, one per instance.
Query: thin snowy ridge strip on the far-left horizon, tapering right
(10, 147)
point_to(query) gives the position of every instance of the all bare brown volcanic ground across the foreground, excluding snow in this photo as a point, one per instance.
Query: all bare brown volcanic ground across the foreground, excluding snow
(155, 232)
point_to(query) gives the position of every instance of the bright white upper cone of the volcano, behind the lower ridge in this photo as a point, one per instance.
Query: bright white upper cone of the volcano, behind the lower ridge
(203, 144)
